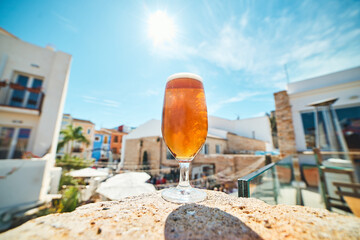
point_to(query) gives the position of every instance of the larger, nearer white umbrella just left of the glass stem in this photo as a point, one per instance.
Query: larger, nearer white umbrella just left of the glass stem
(126, 185)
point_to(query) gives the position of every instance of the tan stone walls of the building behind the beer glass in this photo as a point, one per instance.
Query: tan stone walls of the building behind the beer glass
(231, 164)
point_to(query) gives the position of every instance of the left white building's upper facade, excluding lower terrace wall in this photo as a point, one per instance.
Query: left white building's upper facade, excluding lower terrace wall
(32, 95)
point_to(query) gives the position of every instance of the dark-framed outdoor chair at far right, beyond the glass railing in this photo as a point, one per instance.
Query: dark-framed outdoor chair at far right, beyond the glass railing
(335, 179)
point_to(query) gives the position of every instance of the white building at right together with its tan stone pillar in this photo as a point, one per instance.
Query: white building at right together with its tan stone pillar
(295, 118)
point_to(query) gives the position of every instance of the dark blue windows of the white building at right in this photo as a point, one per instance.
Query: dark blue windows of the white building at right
(349, 119)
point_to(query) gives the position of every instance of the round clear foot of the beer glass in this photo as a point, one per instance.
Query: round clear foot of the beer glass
(183, 195)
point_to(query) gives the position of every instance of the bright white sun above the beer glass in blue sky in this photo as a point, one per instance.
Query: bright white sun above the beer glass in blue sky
(161, 28)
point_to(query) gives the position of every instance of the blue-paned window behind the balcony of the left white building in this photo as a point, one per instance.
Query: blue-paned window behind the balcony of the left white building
(23, 98)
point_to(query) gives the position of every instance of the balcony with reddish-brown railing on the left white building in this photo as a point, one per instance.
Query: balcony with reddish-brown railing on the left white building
(17, 98)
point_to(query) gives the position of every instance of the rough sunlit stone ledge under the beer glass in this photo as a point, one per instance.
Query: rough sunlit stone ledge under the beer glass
(219, 217)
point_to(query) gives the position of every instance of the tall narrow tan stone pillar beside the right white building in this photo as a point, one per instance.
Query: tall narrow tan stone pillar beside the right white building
(284, 122)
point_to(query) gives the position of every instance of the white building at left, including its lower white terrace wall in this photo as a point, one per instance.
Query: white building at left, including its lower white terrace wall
(33, 85)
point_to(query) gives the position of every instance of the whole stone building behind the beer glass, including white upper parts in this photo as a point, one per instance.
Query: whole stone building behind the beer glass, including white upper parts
(144, 147)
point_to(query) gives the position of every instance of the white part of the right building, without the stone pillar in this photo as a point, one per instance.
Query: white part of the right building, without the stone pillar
(344, 85)
